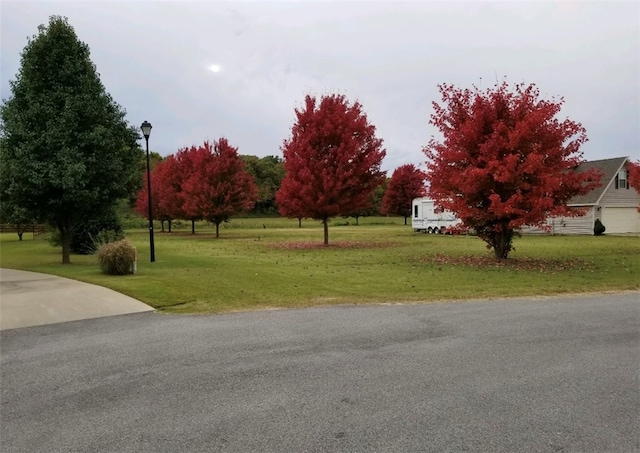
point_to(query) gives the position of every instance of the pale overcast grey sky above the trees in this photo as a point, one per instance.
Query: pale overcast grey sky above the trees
(199, 70)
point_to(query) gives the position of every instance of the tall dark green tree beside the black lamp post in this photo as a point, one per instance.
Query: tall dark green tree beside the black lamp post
(68, 150)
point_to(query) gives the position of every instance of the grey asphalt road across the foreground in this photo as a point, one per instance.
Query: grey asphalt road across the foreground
(547, 375)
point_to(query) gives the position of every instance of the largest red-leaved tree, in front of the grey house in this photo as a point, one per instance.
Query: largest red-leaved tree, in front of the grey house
(506, 161)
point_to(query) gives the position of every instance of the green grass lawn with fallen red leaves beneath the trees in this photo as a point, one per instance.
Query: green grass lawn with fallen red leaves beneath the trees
(261, 263)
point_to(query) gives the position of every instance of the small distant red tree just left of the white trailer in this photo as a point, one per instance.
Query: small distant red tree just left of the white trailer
(407, 183)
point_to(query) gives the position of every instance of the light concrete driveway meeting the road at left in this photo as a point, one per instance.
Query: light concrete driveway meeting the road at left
(33, 299)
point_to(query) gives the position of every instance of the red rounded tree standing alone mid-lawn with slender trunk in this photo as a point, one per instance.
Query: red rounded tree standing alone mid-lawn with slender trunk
(332, 161)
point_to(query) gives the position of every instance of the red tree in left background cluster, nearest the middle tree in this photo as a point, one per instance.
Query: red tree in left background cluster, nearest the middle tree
(218, 186)
